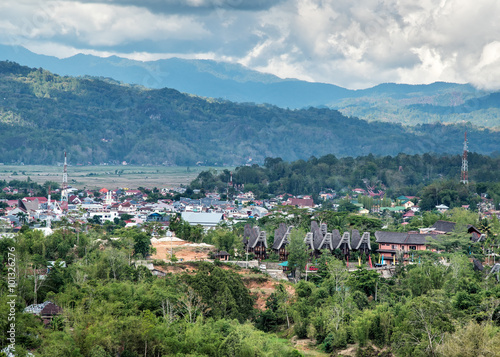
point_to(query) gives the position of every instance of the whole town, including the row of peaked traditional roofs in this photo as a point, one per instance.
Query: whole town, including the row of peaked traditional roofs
(135, 208)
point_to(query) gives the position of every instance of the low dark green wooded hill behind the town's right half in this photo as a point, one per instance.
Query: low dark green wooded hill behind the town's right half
(310, 177)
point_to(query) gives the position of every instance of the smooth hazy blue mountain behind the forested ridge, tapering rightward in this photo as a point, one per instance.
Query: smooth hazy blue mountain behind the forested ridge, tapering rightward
(204, 78)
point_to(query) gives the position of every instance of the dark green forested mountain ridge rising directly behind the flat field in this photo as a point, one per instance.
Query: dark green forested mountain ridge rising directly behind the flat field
(97, 121)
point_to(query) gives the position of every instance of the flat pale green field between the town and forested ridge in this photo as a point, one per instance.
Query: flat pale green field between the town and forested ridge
(110, 177)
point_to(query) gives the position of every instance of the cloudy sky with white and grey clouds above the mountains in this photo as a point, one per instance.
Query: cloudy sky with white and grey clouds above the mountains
(354, 44)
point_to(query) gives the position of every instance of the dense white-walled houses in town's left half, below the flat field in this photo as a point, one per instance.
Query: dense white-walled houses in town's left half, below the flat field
(110, 205)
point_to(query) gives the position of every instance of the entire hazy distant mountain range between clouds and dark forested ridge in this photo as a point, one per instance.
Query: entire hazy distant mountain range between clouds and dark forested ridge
(398, 103)
